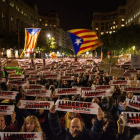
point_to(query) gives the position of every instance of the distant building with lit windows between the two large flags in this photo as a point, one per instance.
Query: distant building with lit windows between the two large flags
(50, 25)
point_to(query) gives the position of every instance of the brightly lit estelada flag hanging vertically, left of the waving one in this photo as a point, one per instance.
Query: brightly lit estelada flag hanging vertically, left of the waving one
(31, 36)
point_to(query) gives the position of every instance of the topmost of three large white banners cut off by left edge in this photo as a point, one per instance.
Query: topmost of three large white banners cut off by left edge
(8, 94)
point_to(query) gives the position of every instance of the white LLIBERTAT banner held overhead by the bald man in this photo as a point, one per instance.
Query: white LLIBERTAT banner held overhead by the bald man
(77, 107)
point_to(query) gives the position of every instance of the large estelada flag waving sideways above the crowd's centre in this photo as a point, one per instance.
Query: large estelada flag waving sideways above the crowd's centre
(84, 40)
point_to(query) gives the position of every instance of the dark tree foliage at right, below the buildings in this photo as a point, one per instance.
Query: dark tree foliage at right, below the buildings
(122, 40)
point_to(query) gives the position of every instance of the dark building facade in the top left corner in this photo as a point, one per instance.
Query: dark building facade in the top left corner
(16, 15)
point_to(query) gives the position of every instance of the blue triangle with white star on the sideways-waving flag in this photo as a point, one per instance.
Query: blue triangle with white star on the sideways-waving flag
(76, 42)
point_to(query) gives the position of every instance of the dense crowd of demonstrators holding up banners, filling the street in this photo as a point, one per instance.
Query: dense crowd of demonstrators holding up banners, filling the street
(108, 124)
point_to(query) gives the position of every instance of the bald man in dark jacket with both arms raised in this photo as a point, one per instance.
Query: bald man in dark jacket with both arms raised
(76, 130)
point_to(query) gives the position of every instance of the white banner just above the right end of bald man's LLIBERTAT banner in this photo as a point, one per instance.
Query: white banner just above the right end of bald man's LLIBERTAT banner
(92, 93)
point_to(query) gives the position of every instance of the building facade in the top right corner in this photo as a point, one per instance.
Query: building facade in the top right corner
(132, 11)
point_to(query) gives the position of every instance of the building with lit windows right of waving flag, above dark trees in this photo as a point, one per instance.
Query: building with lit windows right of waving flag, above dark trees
(108, 22)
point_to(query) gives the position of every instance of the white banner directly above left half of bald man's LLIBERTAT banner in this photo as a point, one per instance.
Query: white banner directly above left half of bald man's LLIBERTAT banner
(68, 91)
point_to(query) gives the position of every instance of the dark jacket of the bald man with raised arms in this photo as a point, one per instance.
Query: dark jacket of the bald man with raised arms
(63, 134)
